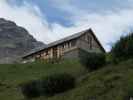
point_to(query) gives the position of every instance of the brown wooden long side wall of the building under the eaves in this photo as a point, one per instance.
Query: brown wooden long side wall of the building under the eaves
(61, 49)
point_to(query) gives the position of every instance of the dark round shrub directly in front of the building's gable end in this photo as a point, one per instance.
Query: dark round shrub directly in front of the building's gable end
(93, 61)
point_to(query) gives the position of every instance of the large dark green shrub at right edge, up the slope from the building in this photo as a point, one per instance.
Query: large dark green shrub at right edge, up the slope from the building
(123, 49)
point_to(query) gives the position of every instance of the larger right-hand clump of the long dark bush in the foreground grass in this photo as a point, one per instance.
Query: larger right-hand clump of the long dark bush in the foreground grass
(57, 83)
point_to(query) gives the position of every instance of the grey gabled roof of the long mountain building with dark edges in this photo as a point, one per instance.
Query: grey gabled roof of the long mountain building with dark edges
(71, 37)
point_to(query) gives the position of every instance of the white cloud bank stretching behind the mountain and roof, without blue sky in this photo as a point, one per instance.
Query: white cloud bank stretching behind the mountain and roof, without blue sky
(108, 26)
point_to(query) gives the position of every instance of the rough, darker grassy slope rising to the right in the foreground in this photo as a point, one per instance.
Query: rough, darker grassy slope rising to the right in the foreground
(110, 83)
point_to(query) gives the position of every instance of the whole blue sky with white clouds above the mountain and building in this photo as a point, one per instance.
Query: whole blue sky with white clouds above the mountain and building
(51, 20)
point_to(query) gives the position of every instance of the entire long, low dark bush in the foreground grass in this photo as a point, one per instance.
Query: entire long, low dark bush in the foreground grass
(48, 86)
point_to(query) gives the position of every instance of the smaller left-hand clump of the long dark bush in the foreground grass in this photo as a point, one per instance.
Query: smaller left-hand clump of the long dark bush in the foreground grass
(30, 89)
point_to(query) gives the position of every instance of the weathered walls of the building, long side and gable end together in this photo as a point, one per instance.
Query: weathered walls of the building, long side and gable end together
(69, 49)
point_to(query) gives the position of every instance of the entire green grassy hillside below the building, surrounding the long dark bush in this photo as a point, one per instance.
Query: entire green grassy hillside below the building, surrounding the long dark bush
(109, 83)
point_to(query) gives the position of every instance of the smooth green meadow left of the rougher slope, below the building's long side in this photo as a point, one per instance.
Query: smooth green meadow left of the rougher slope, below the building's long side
(14, 74)
